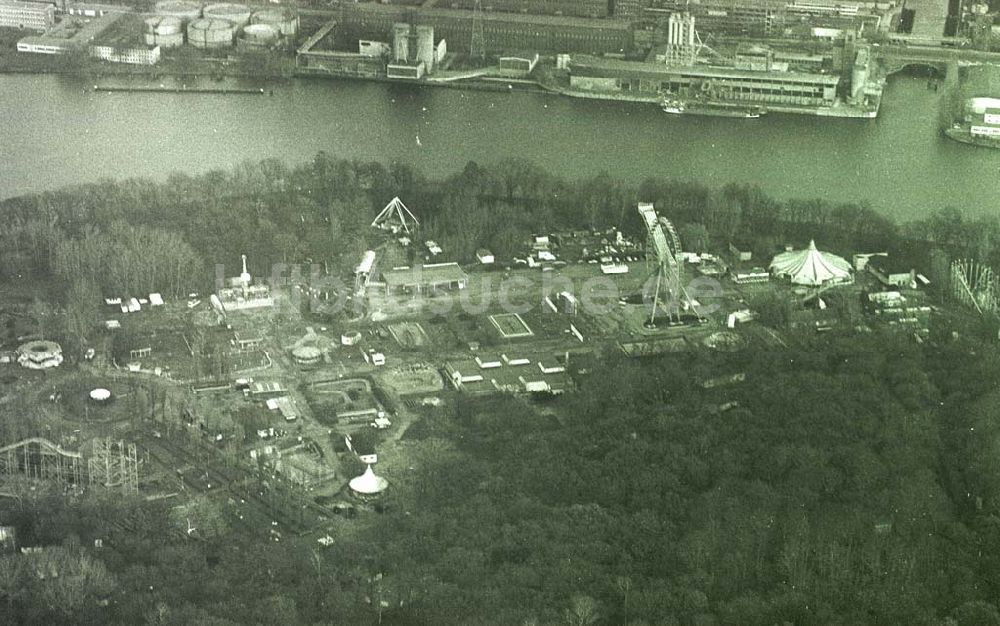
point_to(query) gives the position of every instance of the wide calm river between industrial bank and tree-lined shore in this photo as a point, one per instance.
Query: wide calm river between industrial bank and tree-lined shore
(56, 132)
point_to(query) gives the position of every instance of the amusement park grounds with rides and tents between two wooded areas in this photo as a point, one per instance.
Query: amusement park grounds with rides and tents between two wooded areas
(286, 419)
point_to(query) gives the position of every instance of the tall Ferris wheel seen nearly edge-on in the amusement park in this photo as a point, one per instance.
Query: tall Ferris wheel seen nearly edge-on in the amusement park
(663, 251)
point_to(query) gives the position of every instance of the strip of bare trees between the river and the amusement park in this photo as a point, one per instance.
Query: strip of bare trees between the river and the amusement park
(136, 236)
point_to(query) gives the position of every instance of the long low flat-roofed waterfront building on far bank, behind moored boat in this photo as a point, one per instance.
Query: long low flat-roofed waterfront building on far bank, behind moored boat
(645, 79)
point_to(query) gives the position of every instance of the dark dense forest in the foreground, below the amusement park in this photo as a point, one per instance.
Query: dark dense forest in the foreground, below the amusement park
(855, 484)
